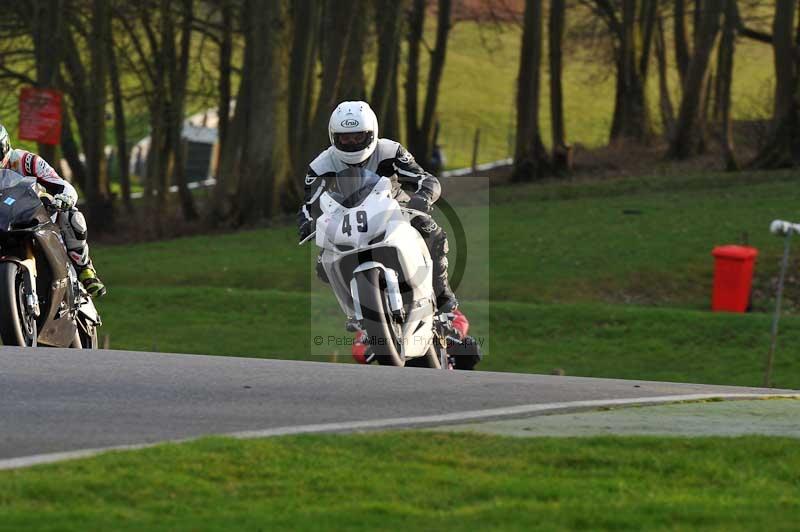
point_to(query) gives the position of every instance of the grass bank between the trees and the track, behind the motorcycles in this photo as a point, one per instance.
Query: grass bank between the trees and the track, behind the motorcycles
(569, 282)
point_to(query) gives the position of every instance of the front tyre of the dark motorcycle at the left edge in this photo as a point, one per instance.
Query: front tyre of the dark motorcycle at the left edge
(17, 327)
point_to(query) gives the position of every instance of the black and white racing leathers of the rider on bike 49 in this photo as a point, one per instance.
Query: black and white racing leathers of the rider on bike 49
(408, 179)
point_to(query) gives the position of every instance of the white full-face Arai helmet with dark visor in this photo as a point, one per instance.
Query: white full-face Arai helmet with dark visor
(353, 130)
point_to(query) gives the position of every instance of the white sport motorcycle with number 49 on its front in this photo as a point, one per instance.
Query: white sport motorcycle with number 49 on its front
(380, 270)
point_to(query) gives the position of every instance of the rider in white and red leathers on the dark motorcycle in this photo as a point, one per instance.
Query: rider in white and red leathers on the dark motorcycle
(70, 220)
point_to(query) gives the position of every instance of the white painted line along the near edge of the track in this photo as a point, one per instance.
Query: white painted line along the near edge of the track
(403, 422)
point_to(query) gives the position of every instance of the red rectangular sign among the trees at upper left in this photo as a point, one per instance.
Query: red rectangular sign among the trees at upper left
(40, 115)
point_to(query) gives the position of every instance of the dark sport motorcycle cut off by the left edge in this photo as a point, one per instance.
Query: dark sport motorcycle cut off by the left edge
(42, 302)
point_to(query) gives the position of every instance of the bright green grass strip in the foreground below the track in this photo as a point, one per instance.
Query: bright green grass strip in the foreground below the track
(416, 481)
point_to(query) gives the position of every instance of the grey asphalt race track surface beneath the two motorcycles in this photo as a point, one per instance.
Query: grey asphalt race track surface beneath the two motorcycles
(57, 400)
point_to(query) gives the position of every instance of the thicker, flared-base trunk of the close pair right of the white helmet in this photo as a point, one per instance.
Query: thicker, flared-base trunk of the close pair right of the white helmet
(530, 158)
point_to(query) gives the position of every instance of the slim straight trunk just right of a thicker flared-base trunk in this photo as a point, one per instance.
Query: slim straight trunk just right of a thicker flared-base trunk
(561, 152)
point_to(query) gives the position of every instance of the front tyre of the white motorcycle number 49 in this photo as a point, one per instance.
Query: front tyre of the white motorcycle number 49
(380, 333)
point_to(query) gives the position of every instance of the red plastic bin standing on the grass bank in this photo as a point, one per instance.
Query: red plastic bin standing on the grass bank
(733, 277)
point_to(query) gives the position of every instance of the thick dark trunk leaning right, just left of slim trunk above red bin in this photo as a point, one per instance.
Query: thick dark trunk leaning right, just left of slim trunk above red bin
(688, 137)
